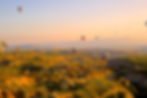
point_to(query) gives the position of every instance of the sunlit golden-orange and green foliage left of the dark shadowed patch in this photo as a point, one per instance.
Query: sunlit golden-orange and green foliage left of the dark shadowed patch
(29, 74)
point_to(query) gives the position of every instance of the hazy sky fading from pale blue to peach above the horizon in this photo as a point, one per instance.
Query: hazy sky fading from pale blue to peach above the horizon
(46, 21)
